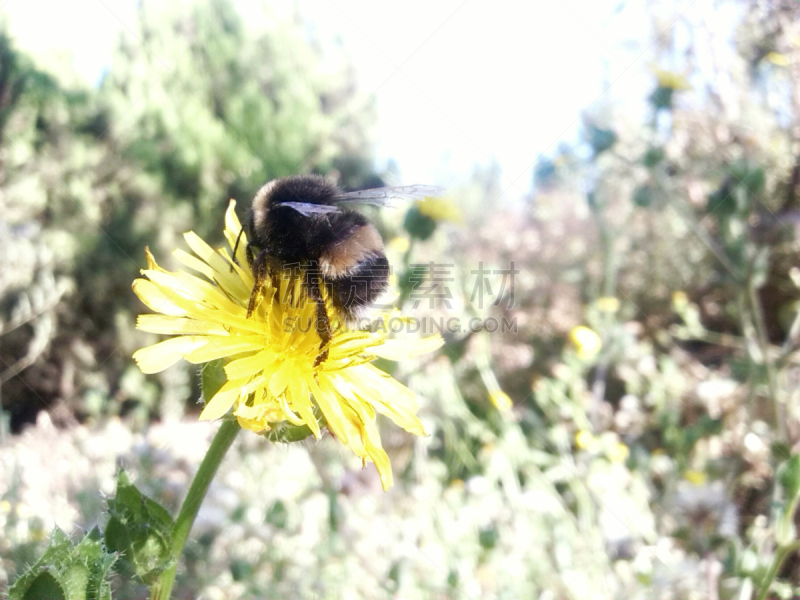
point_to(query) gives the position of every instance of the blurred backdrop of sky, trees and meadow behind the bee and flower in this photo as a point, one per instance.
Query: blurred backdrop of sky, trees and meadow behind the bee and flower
(637, 163)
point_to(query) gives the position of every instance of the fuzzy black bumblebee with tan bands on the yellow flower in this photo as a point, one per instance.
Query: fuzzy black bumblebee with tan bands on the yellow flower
(306, 223)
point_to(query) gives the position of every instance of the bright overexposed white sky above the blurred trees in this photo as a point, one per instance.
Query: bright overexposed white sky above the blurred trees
(457, 83)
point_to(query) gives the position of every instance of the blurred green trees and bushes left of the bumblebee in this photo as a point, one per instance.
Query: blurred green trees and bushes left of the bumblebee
(201, 110)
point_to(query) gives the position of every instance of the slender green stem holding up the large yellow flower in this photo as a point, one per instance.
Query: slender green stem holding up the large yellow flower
(222, 441)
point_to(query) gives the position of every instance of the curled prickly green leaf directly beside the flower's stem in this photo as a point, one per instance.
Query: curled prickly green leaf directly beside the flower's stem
(140, 529)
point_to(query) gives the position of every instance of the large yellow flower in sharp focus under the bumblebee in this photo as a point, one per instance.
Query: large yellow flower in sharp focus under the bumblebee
(270, 357)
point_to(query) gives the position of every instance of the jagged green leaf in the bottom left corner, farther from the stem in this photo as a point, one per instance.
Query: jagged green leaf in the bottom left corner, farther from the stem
(69, 572)
